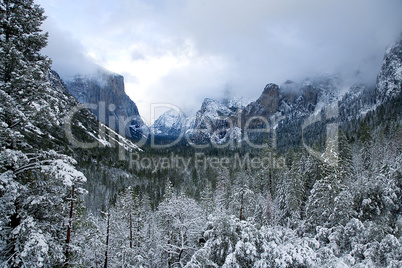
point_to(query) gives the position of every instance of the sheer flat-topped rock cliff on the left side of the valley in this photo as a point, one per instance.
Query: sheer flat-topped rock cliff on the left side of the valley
(104, 91)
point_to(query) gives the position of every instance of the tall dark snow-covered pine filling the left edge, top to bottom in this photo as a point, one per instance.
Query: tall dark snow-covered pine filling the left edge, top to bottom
(36, 182)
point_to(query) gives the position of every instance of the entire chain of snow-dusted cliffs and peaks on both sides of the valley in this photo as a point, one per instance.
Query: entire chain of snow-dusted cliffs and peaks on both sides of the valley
(281, 107)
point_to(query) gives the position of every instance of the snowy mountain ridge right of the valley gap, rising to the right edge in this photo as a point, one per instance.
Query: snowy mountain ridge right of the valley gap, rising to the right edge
(293, 102)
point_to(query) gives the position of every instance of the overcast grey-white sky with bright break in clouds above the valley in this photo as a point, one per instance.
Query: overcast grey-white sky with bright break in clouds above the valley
(182, 51)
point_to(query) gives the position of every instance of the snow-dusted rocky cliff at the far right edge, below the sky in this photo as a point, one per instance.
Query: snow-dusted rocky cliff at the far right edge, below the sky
(389, 80)
